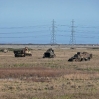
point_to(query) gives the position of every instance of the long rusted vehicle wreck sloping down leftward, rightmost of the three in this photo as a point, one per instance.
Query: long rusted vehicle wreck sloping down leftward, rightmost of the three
(81, 56)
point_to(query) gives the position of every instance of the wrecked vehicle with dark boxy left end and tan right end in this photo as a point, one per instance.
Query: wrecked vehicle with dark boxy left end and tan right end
(22, 52)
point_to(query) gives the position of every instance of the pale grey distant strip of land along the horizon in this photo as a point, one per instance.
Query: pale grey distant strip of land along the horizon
(44, 46)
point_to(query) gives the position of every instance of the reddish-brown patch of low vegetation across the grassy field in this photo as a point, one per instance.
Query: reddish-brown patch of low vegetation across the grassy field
(39, 74)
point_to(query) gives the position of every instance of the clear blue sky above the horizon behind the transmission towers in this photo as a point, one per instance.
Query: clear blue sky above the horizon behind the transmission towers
(30, 21)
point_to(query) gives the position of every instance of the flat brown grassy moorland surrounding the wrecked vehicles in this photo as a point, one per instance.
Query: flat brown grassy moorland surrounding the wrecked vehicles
(34, 77)
